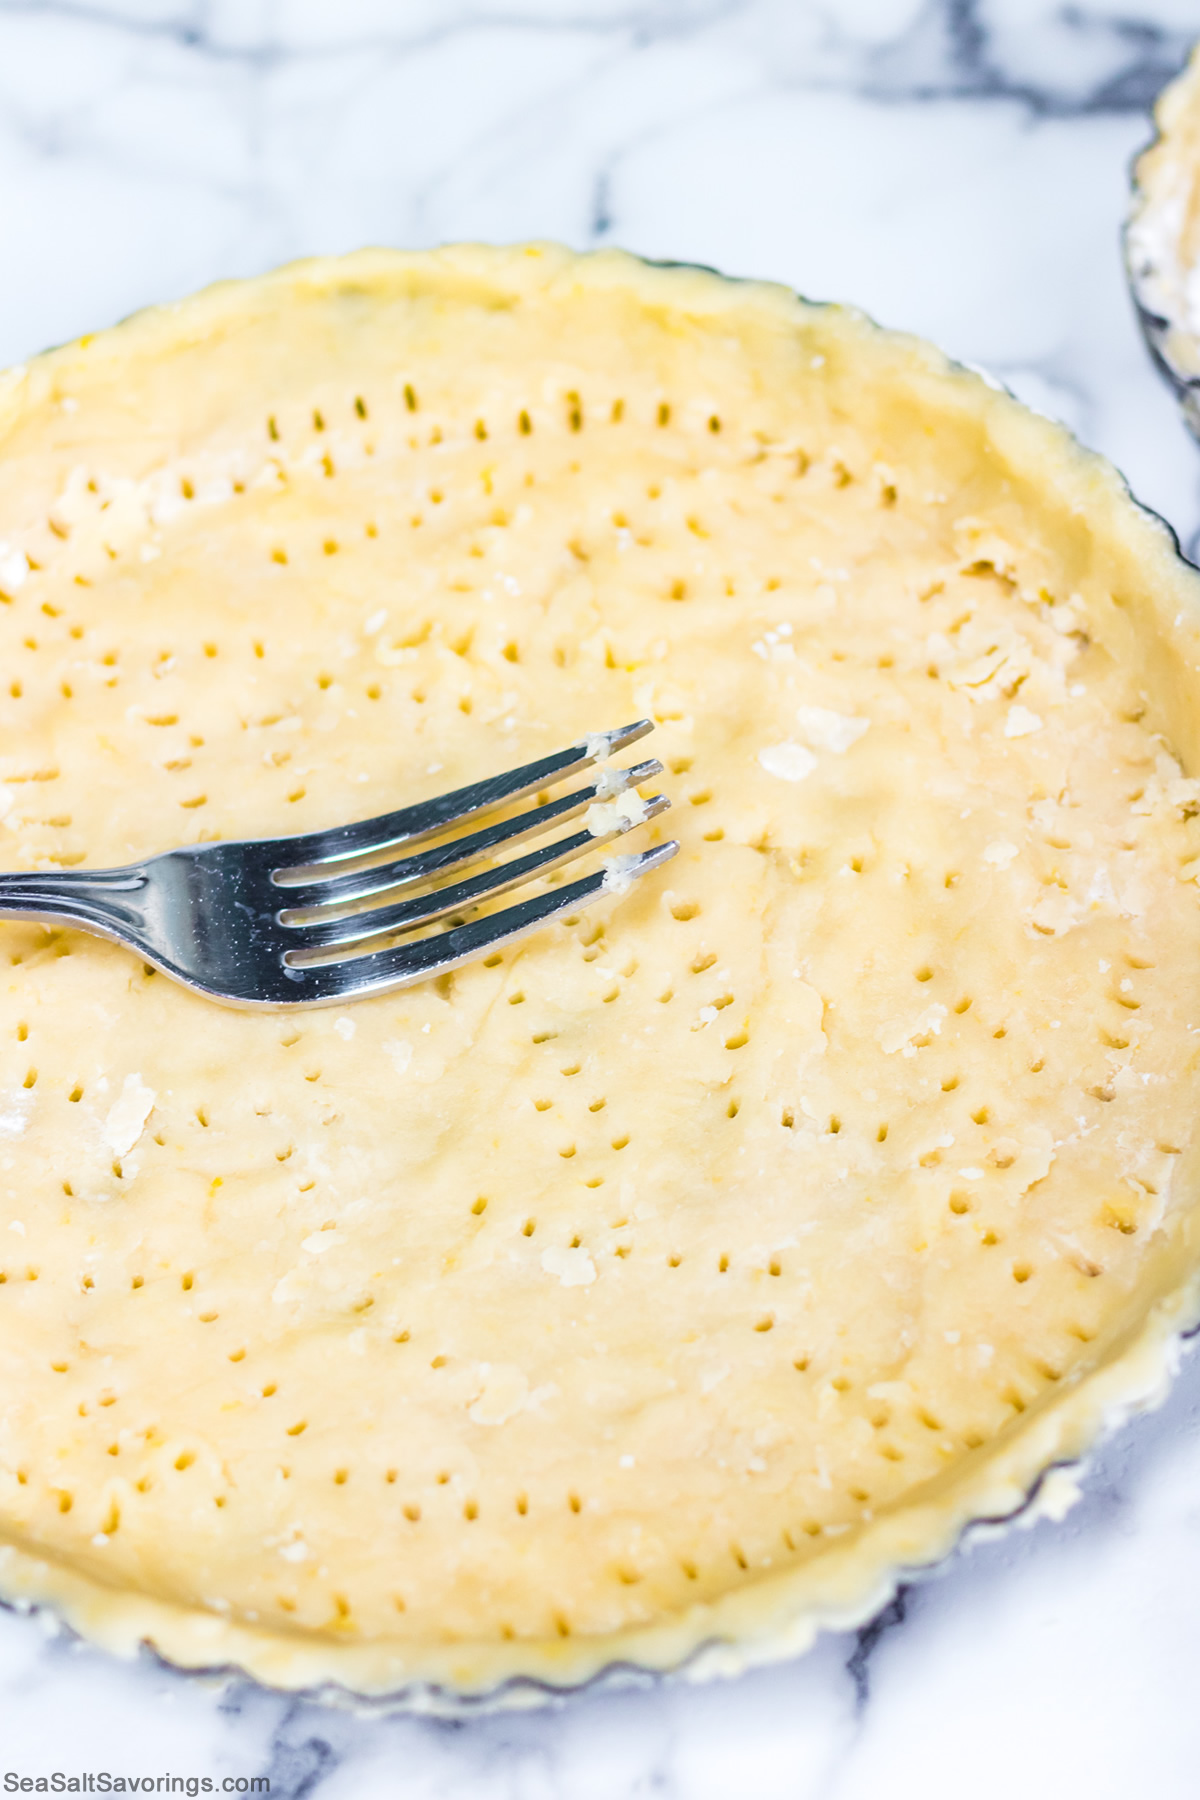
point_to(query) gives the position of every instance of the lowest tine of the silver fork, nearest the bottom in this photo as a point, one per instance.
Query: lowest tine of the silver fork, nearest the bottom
(431, 957)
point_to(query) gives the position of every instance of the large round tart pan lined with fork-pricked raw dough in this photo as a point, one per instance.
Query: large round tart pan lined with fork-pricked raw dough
(667, 1288)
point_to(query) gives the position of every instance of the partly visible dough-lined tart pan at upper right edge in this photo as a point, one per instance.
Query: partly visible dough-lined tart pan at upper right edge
(1163, 240)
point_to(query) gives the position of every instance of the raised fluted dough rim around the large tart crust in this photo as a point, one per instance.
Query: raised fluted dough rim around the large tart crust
(780, 1614)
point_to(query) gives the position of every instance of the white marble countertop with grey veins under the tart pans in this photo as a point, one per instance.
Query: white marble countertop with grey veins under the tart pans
(954, 166)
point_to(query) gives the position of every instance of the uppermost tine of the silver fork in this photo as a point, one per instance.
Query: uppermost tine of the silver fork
(305, 858)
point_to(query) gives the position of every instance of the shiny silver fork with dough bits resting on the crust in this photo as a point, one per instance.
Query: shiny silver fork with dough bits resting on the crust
(285, 921)
